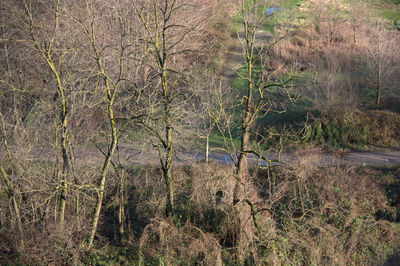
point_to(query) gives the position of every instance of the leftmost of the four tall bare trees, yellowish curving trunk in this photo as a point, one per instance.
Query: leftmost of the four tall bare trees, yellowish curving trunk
(45, 40)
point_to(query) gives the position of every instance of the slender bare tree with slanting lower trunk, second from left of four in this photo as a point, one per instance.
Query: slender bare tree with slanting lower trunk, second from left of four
(109, 58)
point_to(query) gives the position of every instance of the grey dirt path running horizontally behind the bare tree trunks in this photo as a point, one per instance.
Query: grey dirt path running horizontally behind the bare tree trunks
(131, 156)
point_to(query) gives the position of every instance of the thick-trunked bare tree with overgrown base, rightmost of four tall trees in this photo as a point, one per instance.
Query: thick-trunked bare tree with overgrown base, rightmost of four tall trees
(257, 101)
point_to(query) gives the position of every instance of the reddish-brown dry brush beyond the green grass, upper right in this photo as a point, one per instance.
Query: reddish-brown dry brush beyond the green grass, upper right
(347, 52)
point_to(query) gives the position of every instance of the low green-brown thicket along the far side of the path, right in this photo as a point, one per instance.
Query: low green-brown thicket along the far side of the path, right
(336, 129)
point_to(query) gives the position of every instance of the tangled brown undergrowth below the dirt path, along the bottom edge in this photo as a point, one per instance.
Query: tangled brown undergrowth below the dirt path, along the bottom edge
(307, 215)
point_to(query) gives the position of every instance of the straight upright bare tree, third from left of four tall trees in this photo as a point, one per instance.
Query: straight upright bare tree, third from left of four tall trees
(168, 30)
